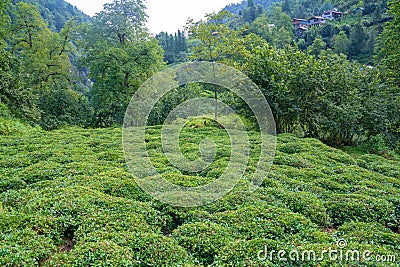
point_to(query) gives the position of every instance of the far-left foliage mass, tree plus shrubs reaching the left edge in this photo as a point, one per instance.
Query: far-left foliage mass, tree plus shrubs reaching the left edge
(37, 72)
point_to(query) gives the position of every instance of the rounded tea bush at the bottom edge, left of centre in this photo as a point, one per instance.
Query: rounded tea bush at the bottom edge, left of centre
(138, 248)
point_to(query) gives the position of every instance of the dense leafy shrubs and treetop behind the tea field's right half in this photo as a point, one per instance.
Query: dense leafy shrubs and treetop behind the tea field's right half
(315, 94)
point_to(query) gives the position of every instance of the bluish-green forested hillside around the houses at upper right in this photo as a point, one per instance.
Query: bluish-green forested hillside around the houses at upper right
(355, 34)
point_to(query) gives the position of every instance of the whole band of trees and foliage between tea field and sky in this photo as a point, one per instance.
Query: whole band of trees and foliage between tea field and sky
(85, 74)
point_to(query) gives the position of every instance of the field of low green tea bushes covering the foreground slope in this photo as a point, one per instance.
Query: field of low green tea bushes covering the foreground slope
(67, 199)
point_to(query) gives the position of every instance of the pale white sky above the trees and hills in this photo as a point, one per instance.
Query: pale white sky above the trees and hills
(164, 15)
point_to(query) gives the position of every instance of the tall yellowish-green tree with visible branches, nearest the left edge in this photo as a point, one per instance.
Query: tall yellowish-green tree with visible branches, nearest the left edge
(45, 69)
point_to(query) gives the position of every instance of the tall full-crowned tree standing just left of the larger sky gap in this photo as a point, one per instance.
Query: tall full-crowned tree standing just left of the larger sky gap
(120, 56)
